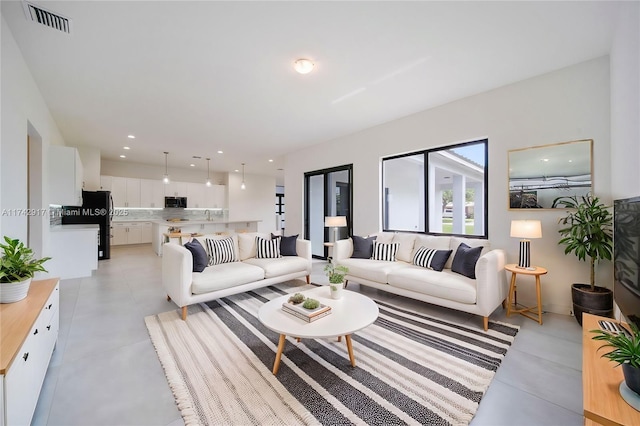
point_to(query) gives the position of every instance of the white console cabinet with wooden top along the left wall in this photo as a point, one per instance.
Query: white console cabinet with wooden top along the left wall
(29, 334)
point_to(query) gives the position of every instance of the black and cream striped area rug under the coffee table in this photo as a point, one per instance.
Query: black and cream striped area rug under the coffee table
(411, 368)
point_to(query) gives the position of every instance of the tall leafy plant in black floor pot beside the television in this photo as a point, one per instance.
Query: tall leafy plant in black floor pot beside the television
(588, 234)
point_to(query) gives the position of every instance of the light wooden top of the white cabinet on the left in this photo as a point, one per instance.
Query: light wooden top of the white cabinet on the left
(16, 319)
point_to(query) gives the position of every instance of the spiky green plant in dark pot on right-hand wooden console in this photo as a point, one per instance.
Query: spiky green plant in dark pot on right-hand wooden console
(625, 351)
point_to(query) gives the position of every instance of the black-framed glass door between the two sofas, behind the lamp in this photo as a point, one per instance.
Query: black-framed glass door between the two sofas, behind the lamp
(328, 192)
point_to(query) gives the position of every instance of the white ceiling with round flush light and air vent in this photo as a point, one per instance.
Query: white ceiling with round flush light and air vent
(192, 78)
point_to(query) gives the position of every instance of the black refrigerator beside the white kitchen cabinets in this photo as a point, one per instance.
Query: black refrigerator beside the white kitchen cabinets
(97, 208)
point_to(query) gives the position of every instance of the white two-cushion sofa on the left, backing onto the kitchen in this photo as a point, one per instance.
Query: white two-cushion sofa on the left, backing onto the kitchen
(186, 287)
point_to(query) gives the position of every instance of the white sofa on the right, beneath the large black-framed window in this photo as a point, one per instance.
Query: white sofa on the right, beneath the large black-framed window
(480, 296)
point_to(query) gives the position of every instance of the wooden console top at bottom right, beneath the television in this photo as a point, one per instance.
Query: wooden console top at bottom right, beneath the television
(601, 380)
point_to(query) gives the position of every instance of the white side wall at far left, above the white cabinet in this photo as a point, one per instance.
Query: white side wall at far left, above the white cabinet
(23, 112)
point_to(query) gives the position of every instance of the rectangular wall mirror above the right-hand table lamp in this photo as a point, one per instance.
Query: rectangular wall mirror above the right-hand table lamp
(540, 174)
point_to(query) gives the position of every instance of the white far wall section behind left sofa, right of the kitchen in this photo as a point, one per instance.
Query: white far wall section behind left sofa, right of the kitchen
(256, 202)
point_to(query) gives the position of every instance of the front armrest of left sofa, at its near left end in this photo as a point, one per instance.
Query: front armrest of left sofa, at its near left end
(177, 267)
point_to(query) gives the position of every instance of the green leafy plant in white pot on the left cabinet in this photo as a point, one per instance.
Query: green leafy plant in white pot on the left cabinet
(17, 267)
